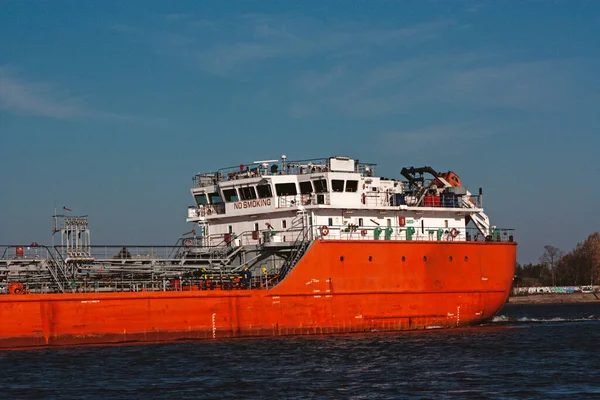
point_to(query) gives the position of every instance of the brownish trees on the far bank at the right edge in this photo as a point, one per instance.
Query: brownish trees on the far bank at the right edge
(581, 266)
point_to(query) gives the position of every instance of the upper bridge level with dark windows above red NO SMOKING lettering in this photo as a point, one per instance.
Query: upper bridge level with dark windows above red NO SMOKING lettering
(266, 186)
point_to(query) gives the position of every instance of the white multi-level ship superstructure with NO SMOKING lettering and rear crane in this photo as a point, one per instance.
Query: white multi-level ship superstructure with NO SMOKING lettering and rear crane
(334, 198)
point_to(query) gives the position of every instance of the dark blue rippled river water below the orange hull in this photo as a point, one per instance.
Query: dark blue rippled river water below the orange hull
(528, 351)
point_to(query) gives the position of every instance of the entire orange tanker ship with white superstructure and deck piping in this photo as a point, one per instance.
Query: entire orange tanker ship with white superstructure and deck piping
(277, 247)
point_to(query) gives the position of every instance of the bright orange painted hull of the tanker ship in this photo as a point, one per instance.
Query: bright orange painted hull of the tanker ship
(337, 287)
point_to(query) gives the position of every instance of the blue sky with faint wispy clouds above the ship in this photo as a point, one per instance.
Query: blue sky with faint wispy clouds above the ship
(110, 107)
